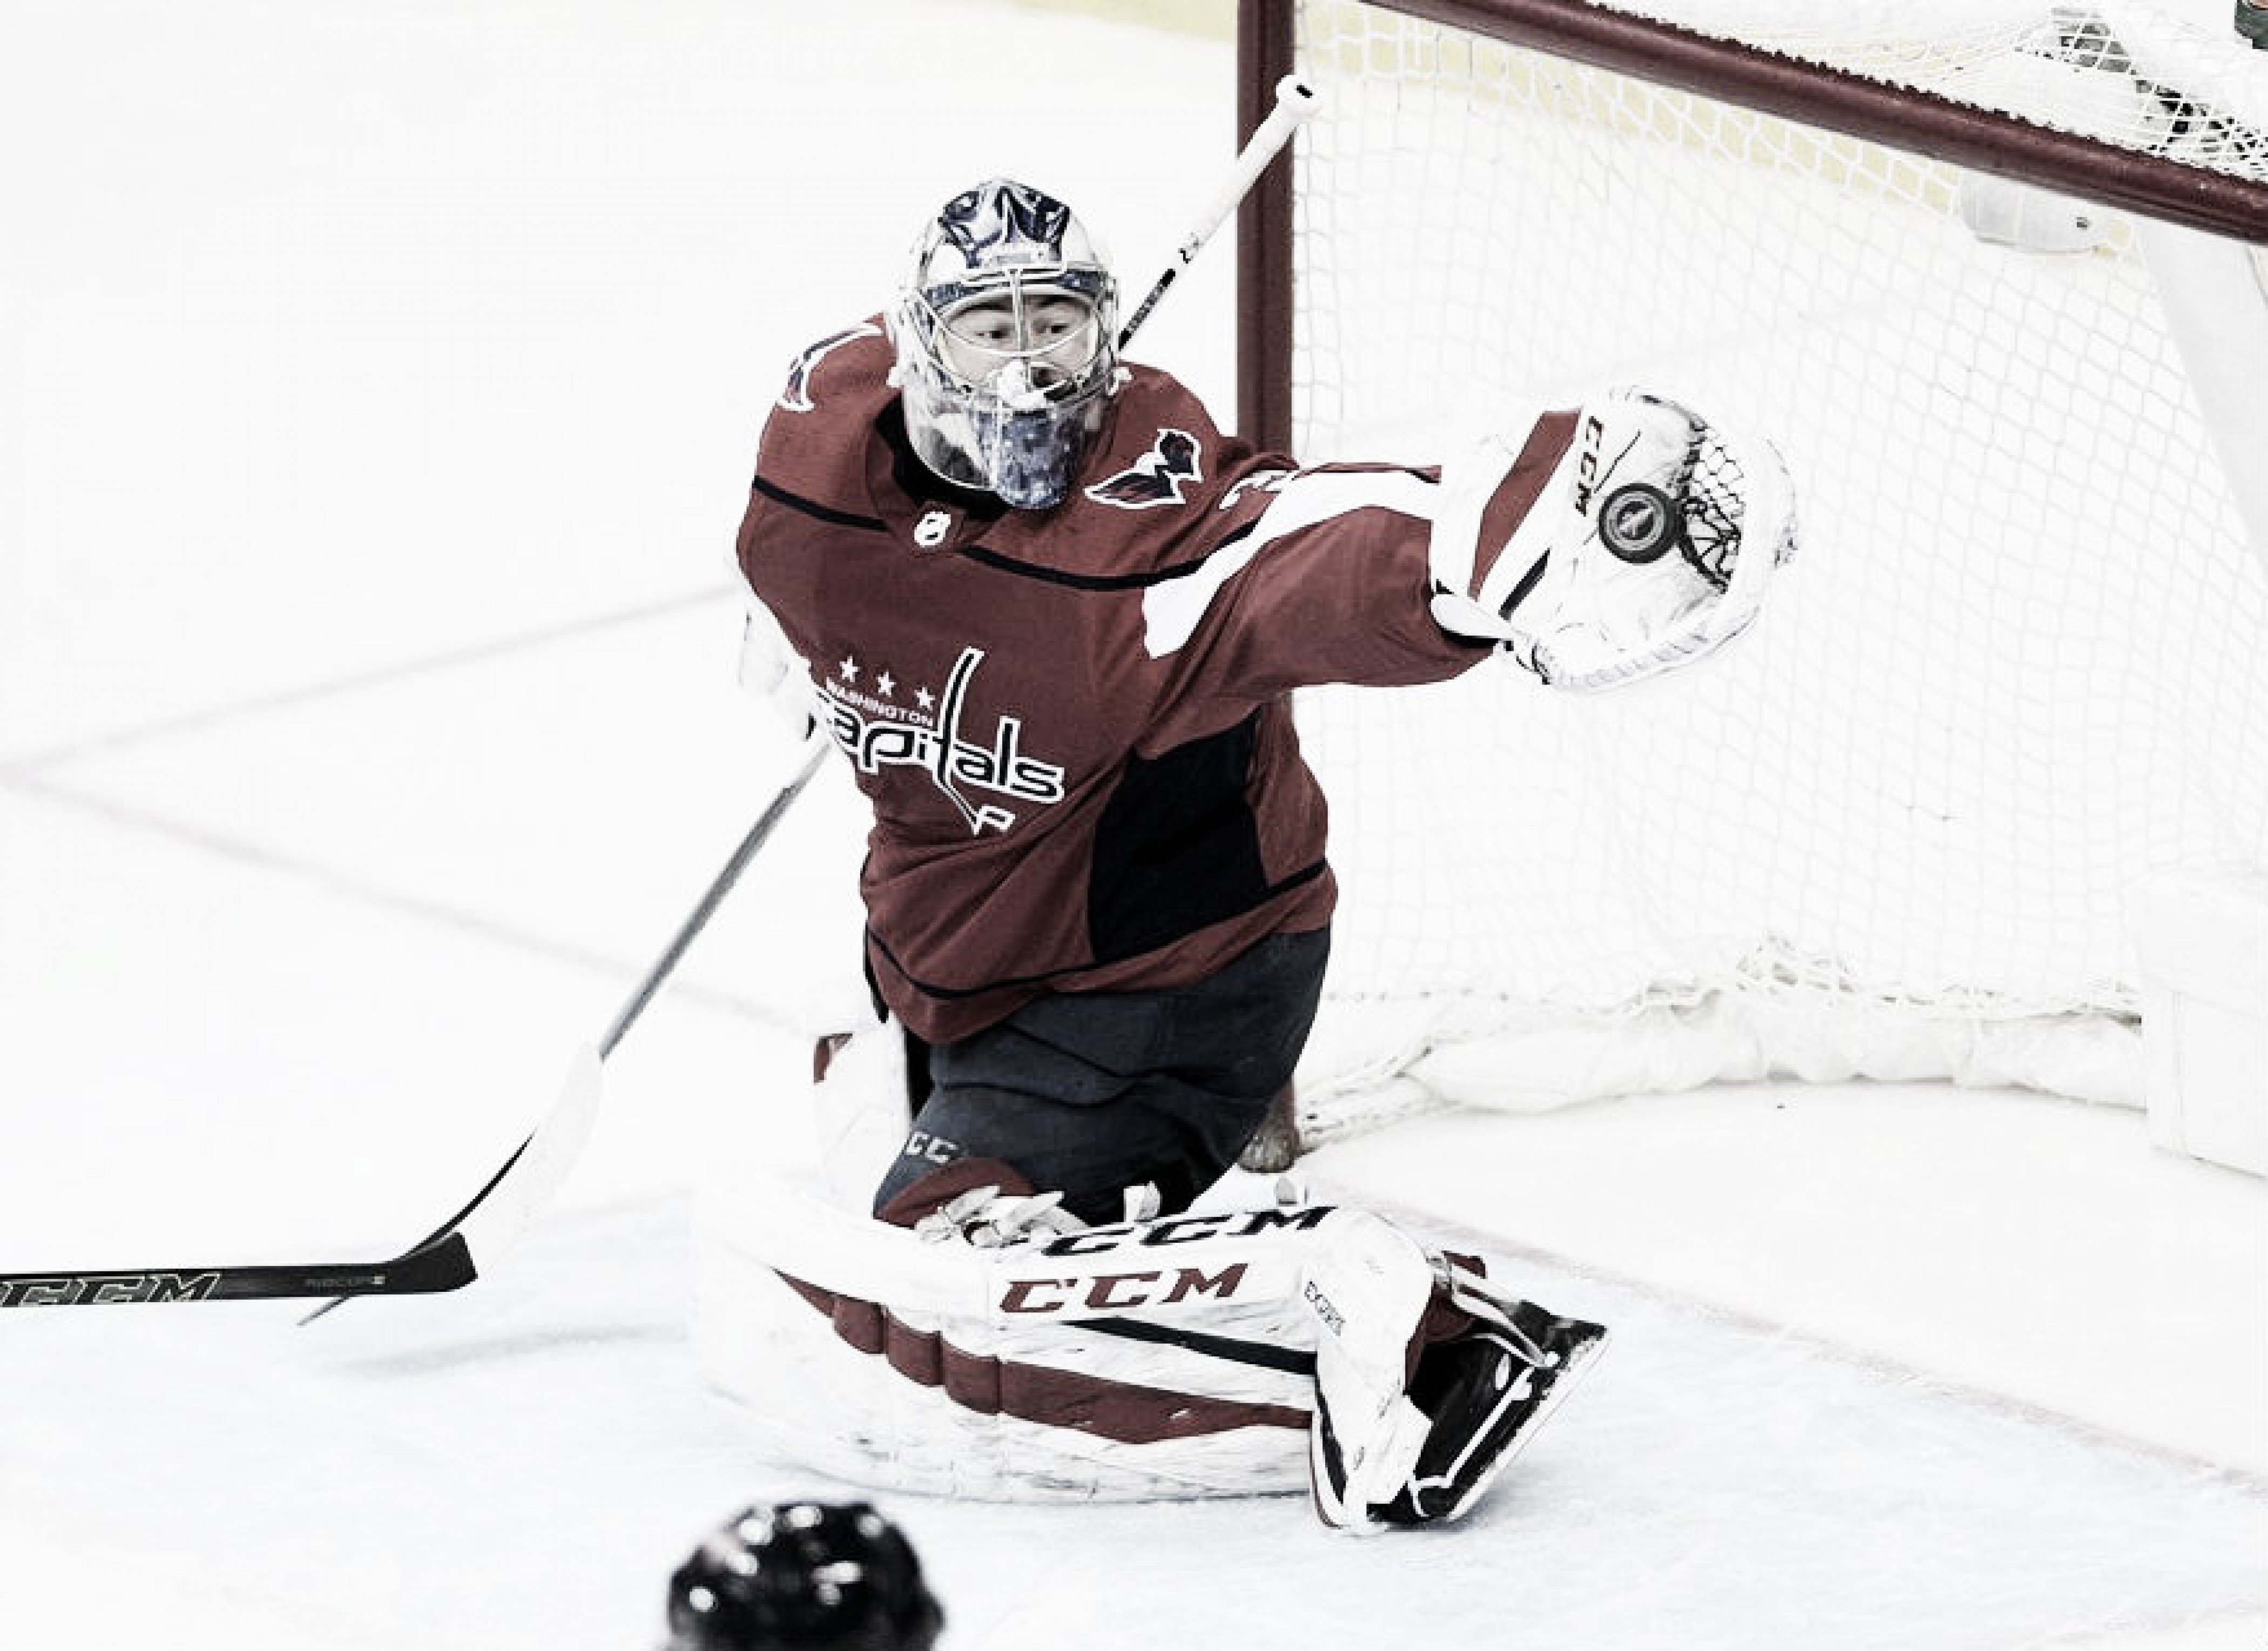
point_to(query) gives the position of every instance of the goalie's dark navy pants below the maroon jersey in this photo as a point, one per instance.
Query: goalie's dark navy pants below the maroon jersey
(1090, 1094)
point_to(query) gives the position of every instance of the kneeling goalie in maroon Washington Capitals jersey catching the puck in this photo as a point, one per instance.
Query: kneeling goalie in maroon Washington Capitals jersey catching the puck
(1053, 618)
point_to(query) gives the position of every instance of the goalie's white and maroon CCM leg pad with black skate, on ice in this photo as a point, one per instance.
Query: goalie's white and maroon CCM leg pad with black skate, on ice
(1001, 1348)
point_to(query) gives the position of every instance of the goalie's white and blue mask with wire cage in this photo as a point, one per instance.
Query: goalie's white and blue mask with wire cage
(1006, 344)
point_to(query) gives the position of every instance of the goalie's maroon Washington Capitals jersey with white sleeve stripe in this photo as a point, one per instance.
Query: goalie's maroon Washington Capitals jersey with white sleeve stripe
(1074, 725)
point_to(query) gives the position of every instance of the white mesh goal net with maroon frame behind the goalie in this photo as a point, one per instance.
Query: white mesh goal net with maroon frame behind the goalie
(1974, 273)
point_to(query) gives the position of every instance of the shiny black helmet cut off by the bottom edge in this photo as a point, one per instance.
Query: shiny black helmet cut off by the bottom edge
(804, 1577)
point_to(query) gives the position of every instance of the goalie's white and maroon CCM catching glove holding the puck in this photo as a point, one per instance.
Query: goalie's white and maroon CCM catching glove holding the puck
(1643, 548)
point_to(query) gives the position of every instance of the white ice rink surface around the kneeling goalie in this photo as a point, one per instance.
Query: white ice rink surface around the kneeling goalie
(378, 400)
